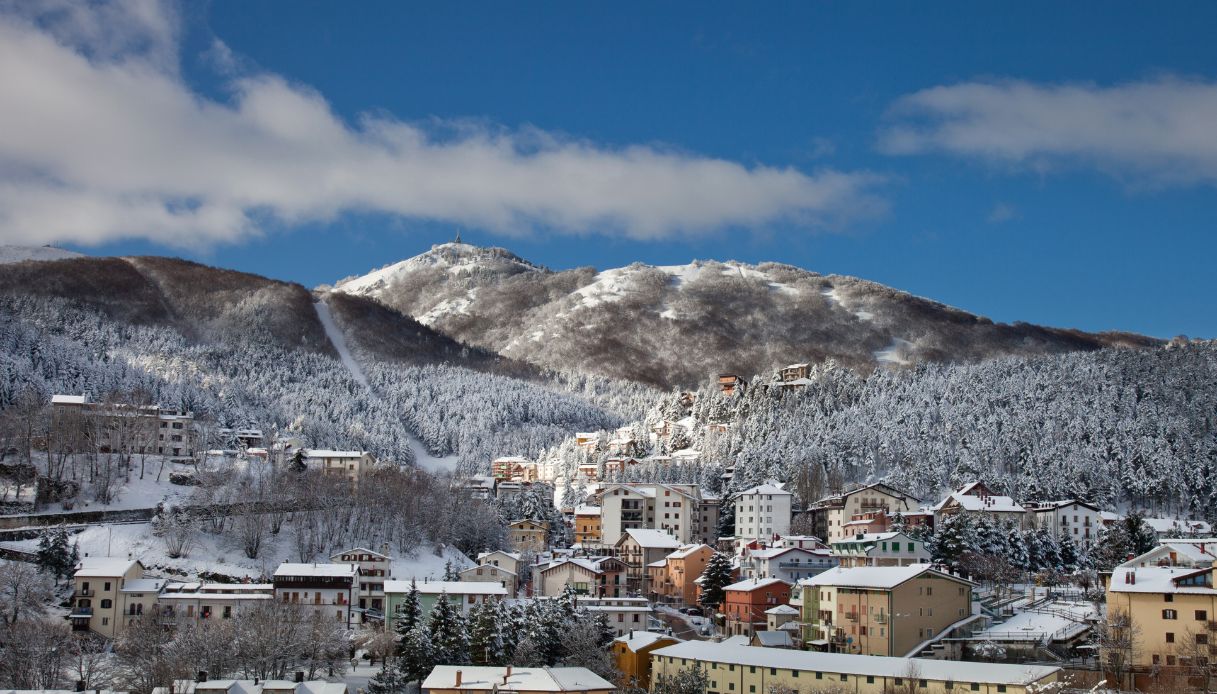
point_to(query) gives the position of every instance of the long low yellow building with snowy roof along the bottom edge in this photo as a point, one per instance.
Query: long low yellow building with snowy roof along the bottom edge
(745, 670)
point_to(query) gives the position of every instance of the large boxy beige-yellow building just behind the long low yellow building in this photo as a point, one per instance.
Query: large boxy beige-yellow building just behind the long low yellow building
(883, 611)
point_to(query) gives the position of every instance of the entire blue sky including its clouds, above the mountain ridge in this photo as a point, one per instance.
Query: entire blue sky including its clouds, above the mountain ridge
(1024, 161)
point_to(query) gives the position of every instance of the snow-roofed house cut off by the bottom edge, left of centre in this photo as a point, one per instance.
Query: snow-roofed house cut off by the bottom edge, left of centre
(457, 679)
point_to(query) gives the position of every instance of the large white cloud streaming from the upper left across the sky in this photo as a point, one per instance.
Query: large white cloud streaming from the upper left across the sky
(102, 139)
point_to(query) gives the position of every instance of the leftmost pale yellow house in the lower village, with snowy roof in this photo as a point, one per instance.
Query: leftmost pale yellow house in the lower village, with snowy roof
(98, 601)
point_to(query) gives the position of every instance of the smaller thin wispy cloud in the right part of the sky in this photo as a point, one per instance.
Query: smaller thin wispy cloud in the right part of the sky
(1158, 132)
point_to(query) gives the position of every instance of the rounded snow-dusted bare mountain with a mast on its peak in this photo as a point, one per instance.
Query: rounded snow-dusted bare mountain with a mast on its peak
(677, 326)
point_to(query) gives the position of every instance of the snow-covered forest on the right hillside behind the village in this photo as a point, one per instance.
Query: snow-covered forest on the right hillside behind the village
(1131, 429)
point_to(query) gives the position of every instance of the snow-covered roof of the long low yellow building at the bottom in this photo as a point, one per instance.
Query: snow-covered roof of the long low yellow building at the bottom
(840, 663)
